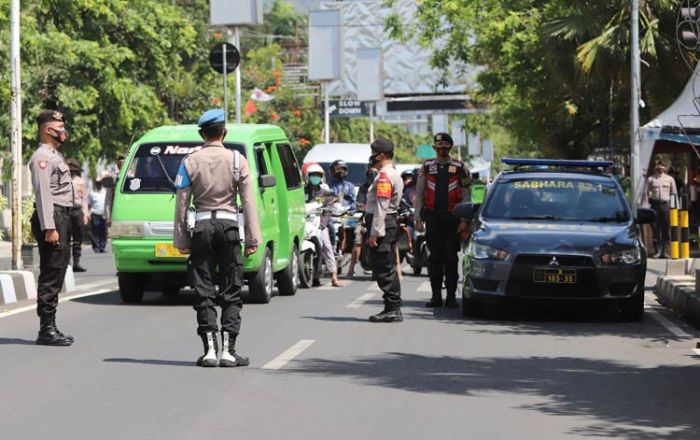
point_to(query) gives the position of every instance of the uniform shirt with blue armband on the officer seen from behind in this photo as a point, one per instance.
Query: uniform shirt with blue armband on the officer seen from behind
(207, 176)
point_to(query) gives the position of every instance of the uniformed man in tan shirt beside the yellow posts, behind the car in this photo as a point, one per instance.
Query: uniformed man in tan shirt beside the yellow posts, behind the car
(659, 190)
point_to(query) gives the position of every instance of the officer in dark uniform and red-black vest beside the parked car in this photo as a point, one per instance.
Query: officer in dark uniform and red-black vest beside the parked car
(442, 183)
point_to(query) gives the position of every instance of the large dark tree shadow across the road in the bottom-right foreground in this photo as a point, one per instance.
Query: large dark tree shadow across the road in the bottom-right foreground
(620, 400)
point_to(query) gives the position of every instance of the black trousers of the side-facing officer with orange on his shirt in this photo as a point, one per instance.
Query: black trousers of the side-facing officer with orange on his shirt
(384, 268)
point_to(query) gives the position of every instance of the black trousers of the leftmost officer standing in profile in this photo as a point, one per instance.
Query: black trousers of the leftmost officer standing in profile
(53, 261)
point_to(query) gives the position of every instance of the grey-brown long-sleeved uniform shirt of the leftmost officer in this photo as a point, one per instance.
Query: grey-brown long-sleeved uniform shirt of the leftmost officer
(52, 183)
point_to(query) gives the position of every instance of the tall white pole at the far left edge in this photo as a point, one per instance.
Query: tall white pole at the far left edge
(16, 136)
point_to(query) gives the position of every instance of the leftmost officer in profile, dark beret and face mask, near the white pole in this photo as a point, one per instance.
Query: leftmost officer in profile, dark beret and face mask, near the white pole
(50, 221)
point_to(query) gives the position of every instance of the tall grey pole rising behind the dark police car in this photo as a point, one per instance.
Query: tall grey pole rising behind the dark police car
(635, 83)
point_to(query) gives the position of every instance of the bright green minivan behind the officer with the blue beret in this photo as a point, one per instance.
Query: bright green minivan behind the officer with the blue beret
(144, 209)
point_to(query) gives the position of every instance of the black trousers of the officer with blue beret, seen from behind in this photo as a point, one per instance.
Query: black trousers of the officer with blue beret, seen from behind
(216, 254)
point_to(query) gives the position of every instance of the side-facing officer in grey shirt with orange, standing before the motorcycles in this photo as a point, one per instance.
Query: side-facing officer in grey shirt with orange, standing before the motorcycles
(383, 198)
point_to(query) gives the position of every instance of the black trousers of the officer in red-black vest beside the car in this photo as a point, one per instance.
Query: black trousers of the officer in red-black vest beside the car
(443, 242)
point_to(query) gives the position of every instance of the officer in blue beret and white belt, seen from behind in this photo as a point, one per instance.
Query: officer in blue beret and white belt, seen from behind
(213, 177)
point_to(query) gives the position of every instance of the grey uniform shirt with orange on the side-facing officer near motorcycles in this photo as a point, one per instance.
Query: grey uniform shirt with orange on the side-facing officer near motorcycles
(383, 197)
